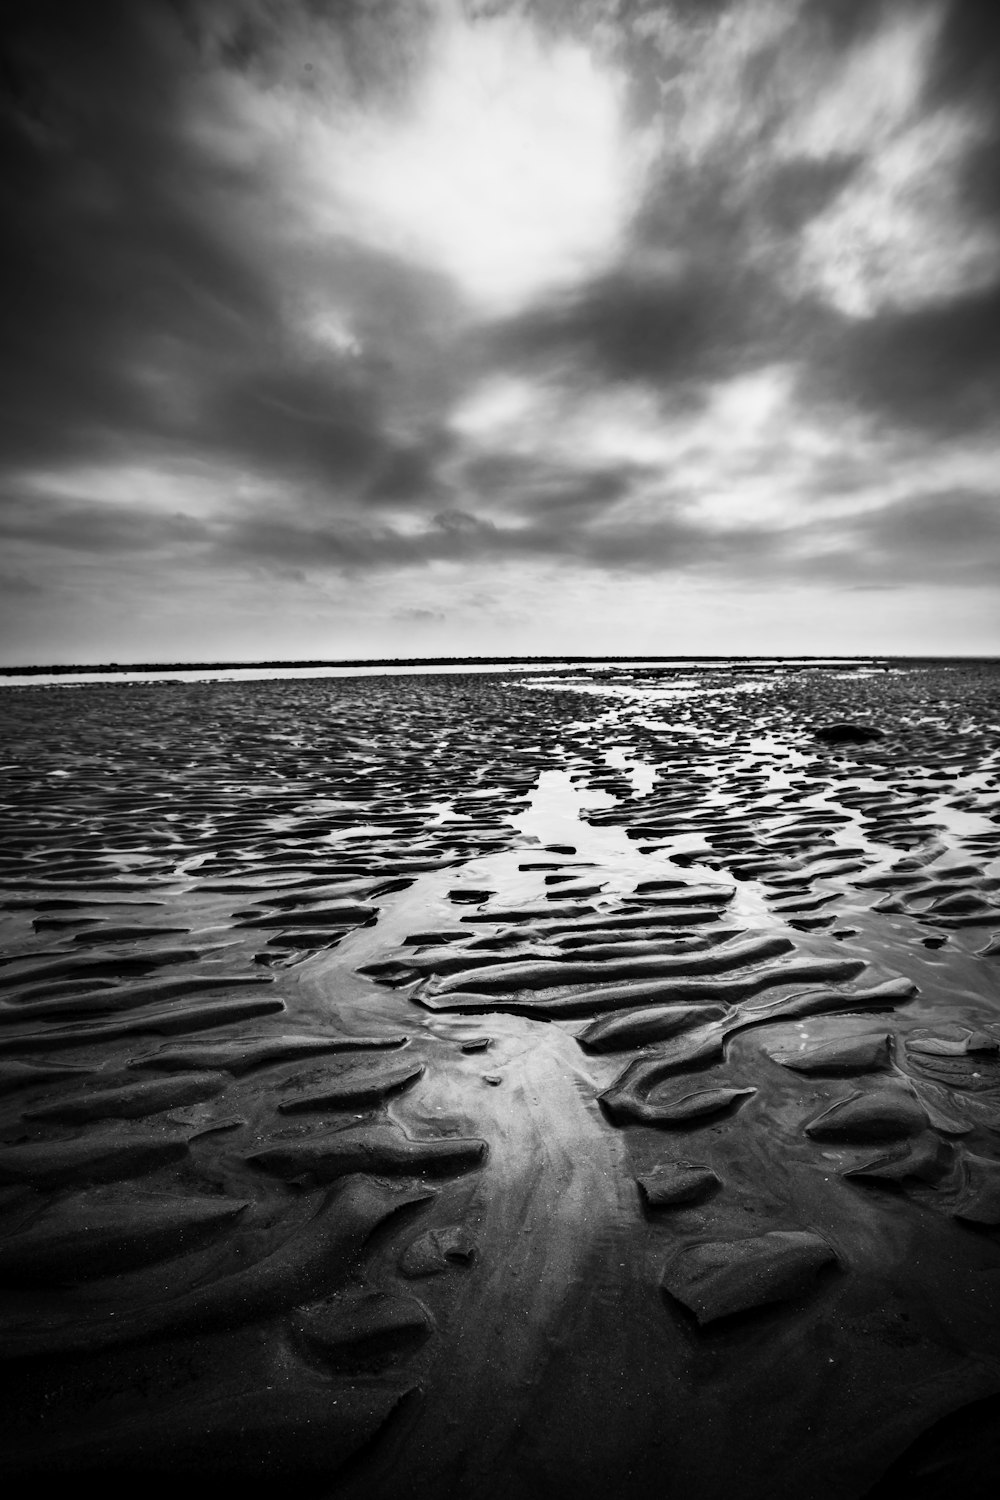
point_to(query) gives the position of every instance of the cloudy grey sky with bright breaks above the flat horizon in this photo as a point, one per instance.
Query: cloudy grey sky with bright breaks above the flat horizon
(457, 328)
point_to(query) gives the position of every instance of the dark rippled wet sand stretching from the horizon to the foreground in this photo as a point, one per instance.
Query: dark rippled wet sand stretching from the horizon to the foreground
(579, 1084)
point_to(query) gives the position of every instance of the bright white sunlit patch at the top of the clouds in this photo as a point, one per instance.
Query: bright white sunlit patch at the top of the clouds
(510, 169)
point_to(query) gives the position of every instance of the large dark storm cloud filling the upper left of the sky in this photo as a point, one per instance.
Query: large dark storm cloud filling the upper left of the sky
(148, 311)
